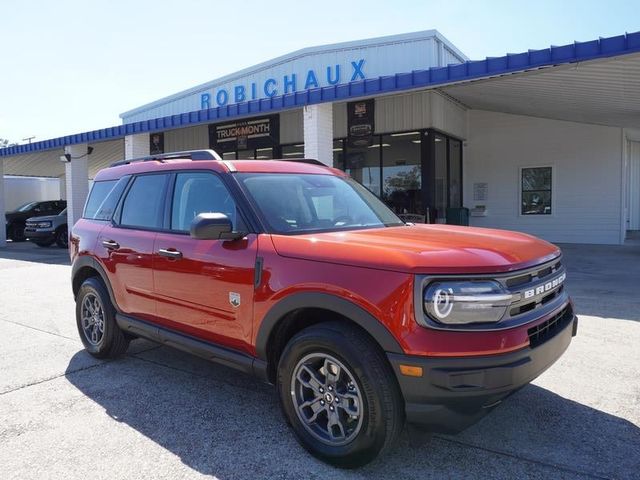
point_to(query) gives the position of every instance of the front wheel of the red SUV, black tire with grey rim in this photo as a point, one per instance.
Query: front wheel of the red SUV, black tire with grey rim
(339, 394)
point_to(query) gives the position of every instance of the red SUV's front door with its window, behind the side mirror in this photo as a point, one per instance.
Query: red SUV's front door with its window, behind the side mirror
(205, 287)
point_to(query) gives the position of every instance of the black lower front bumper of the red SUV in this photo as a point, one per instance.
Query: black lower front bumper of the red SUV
(455, 392)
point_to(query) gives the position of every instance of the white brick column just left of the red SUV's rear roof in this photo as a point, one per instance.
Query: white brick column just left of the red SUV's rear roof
(77, 182)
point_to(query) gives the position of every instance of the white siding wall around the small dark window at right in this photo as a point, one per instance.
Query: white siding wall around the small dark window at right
(587, 173)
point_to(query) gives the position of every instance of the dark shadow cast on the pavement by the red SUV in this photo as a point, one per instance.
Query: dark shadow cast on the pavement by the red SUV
(222, 423)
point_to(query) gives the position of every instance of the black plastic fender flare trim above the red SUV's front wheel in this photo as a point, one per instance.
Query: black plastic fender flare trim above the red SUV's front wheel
(324, 301)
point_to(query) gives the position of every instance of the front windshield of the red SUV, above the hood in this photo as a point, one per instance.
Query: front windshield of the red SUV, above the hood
(304, 203)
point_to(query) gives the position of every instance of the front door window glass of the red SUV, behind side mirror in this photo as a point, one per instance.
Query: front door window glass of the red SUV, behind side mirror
(200, 192)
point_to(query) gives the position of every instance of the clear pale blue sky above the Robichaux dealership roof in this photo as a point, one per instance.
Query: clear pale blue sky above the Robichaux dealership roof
(70, 66)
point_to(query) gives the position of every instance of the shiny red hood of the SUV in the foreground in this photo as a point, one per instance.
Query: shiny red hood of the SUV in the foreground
(421, 249)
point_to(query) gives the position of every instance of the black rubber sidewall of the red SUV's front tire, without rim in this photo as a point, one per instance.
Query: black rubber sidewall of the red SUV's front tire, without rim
(372, 433)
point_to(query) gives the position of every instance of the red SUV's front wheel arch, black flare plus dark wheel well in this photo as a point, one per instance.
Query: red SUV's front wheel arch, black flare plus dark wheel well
(301, 310)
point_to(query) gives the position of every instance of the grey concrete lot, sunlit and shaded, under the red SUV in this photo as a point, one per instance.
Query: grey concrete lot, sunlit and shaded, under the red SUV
(159, 413)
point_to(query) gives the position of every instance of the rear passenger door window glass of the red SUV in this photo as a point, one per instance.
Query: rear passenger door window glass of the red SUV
(143, 206)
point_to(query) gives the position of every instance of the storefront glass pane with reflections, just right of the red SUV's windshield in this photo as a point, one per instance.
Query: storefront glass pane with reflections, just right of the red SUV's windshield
(402, 172)
